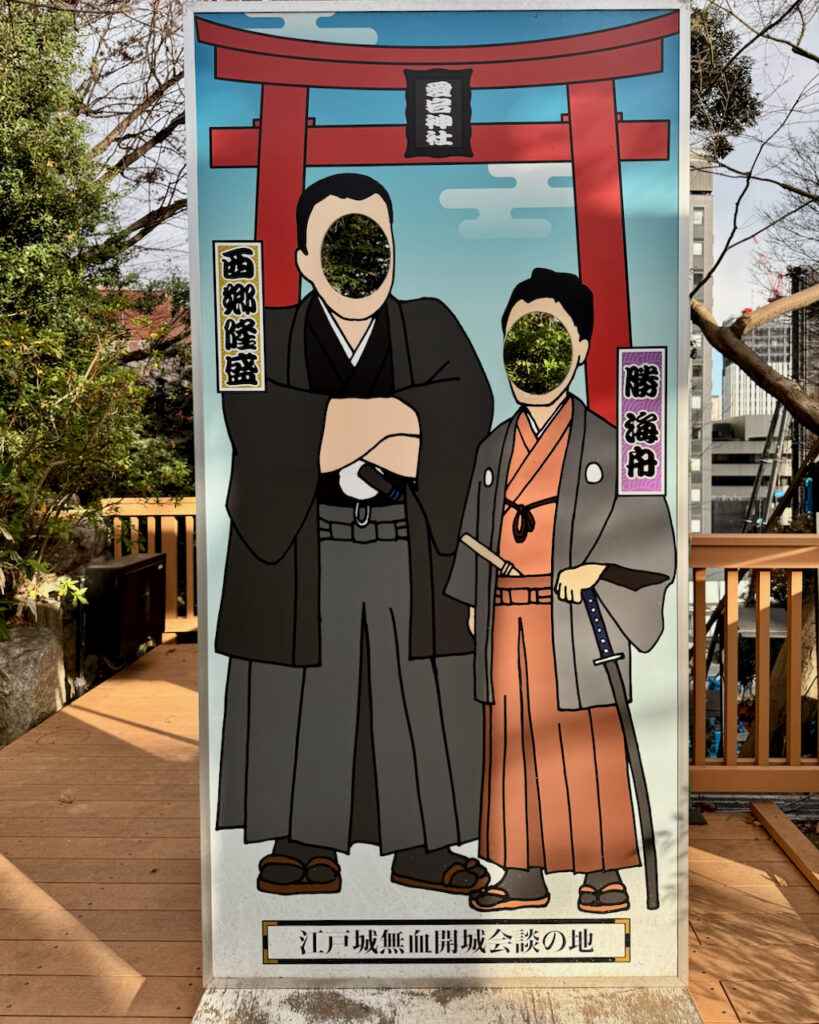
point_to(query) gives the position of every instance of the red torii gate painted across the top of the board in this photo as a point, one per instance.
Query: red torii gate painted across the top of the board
(592, 136)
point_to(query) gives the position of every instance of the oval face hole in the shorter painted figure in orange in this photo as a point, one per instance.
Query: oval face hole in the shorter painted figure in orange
(538, 354)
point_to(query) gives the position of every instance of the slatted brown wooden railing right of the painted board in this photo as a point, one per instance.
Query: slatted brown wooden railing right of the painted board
(751, 561)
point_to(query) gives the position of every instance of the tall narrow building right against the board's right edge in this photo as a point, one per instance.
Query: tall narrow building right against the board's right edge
(700, 385)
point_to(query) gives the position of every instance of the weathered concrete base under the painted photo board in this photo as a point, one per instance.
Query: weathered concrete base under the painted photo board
(448, 1006)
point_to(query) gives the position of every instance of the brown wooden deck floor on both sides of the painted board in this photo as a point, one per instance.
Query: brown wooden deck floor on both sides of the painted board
(100, 894)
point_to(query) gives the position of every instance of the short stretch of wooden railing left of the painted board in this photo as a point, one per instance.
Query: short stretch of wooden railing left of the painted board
(166, 525)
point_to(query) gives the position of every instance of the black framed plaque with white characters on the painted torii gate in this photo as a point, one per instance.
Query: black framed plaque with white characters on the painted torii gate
(439, 113)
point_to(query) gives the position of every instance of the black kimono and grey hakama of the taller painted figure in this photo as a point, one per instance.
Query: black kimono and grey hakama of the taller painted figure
(294, 747)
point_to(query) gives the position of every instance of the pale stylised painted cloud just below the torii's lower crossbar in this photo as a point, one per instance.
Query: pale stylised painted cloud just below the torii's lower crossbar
(497, 207)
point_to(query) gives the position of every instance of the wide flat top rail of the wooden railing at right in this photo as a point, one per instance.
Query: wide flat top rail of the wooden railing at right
(765, 551)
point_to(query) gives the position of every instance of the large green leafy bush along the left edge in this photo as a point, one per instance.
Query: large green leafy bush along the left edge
(75, 412)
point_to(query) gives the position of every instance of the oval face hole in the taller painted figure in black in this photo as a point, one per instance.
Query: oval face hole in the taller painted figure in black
(356, 257)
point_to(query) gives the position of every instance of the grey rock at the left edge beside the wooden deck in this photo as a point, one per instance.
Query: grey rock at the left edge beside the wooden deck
(32, 680)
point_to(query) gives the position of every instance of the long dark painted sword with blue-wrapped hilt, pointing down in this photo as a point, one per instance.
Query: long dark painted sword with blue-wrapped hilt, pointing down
(610, 660)
